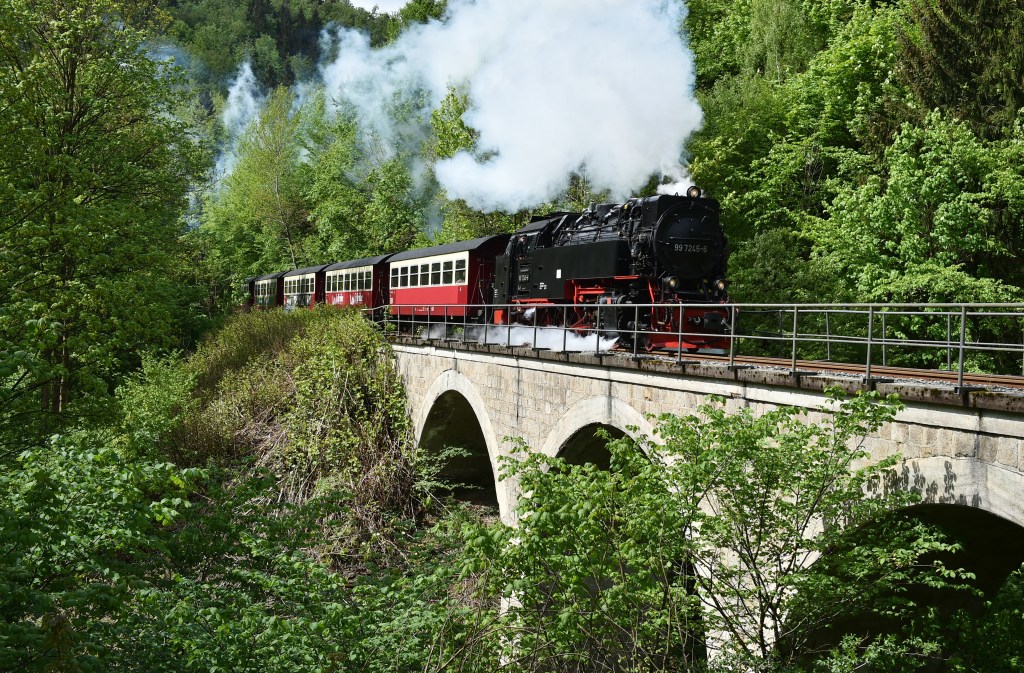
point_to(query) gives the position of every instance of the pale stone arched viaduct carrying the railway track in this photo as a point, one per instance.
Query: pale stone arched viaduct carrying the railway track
(962, 450)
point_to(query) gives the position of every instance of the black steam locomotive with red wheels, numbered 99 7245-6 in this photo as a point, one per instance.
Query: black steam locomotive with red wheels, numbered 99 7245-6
(649, 270)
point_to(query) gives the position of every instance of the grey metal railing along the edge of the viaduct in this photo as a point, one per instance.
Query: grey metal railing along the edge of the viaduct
(986, 339)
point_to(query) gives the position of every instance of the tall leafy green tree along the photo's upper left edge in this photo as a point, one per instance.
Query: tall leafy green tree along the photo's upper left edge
(94, 178)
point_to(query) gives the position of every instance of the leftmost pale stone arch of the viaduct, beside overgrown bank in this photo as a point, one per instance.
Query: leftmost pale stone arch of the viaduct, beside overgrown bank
(450, 403)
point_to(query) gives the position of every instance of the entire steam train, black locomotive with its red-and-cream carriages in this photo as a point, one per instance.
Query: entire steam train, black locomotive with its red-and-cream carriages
(647, 272)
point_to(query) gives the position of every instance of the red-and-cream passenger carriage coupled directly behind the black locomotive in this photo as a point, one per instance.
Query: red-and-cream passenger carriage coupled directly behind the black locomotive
(451, 280)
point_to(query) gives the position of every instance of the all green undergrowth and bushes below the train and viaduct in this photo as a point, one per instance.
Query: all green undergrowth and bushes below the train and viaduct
(259, 507)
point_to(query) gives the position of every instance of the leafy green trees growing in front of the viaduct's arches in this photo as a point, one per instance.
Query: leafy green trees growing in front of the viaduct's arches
(753, 534)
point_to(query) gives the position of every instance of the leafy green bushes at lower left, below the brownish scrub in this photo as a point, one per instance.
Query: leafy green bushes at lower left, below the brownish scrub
(150, 569)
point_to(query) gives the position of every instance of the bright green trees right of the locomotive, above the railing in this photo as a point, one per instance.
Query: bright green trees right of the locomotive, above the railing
(898, 204)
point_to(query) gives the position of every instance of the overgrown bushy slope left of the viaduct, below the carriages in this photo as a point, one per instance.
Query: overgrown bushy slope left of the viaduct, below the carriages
(113, 560)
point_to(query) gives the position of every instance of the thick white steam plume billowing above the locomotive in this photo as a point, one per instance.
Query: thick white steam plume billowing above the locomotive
(605, 87)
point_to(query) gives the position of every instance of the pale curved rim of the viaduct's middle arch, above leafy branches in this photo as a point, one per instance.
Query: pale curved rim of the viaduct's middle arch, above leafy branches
(591, 414)
